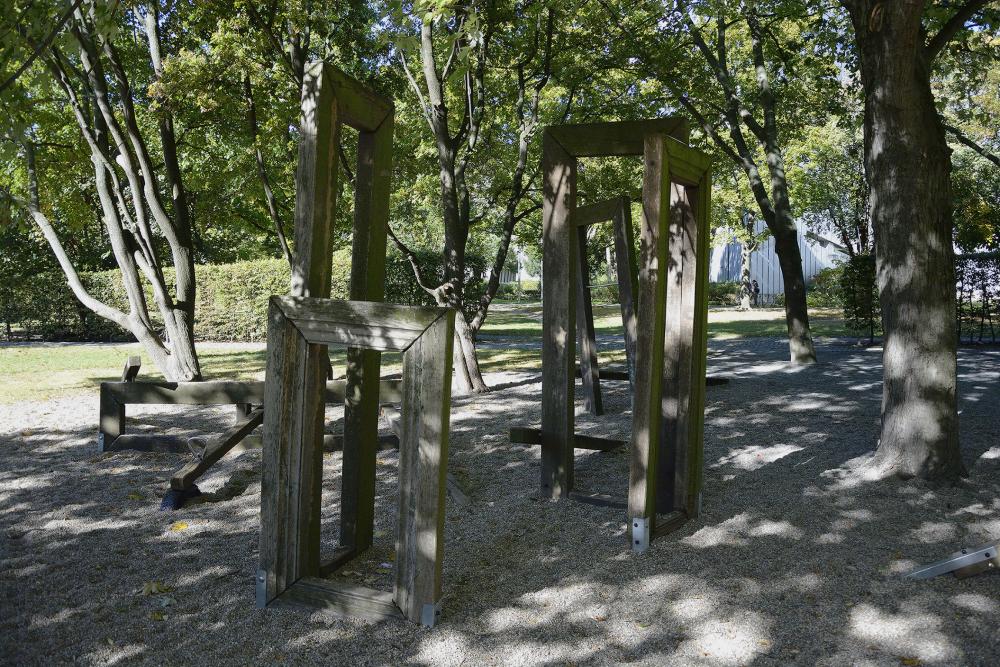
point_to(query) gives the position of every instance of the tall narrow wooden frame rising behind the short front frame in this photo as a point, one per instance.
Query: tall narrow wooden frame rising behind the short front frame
(330, 100)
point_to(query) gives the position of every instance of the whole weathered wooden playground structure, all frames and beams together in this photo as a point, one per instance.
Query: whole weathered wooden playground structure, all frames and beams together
(663, 308)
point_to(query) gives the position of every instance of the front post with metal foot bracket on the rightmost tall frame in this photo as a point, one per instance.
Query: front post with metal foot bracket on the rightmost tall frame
(646, 402)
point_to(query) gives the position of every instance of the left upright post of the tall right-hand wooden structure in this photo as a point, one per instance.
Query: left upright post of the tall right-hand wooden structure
(558, 317)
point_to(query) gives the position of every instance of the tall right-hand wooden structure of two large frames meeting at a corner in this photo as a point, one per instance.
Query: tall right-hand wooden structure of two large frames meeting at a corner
(668, 398)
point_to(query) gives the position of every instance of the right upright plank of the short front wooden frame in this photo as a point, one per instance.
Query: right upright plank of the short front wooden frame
(423, 461)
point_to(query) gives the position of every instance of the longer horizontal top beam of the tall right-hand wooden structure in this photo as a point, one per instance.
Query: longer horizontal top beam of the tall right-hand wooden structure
(615, 138)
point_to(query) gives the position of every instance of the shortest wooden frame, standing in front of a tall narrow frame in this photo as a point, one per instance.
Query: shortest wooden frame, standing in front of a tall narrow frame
(291, 565)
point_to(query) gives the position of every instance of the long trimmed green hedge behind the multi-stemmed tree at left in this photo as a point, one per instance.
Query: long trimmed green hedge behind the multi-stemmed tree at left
(231, 298)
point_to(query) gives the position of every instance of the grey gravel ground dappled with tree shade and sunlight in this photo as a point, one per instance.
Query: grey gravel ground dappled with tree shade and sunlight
(796, 559)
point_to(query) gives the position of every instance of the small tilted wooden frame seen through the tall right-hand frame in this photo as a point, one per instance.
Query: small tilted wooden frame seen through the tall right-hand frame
(619, 212)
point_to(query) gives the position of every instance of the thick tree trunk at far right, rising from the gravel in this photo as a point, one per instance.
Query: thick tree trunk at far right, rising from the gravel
(908, 165)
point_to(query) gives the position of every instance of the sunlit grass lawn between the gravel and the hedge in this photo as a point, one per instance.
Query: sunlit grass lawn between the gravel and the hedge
(44, 371)
